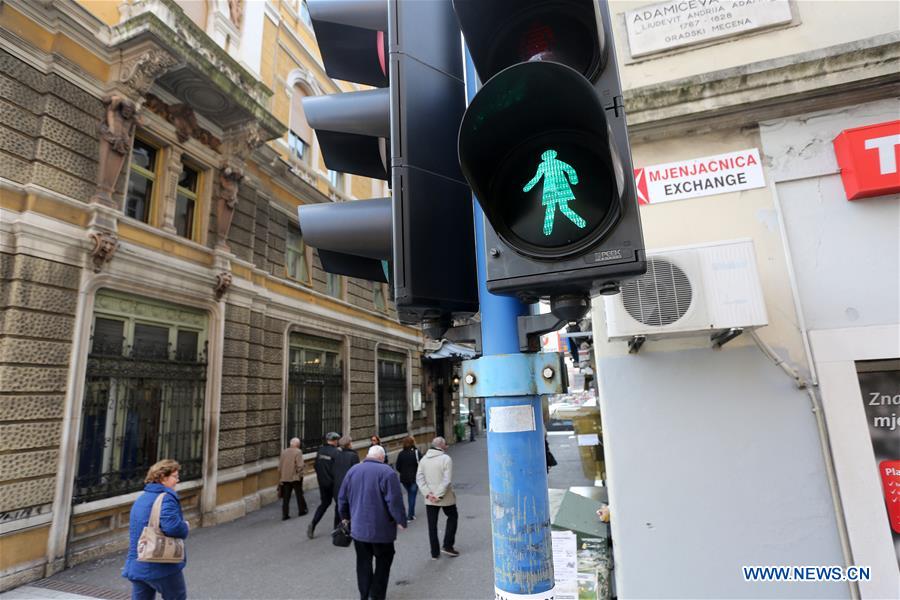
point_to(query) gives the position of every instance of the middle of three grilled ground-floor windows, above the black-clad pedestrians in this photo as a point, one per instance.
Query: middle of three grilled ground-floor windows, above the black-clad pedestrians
(315, 389)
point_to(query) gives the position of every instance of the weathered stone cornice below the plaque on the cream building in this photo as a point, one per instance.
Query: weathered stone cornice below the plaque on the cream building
(840, 75)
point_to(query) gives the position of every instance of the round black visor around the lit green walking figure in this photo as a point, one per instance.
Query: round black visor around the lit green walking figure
(535, 147)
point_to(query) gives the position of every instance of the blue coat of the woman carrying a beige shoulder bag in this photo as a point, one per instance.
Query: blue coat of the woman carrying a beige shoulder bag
(171, 522)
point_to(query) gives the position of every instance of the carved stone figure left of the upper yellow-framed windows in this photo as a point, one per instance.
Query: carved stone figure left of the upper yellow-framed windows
(116, 138)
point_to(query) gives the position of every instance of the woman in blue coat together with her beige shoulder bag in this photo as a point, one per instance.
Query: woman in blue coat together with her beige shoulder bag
(156, 554)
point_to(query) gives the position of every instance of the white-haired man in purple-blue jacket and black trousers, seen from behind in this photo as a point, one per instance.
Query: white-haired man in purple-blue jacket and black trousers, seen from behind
(372, 500)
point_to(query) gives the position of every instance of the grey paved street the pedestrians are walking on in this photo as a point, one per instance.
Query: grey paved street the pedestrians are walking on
(260, 556)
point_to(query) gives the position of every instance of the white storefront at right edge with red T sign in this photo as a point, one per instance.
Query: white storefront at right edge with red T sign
(840, 211)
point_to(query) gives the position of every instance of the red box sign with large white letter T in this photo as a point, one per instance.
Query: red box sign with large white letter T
(869, 158)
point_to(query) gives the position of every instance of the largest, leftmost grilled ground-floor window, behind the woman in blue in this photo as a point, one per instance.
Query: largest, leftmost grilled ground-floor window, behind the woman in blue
(144, 395)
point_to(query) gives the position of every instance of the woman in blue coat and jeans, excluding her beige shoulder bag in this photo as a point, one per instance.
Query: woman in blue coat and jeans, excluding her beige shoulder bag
(149, 578)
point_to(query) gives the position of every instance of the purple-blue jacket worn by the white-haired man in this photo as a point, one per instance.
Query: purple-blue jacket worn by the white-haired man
(371, 497)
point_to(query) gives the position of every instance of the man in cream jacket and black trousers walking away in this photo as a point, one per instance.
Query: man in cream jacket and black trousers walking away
(434, 476)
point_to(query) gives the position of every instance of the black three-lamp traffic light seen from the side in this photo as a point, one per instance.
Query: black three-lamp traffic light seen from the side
(404, 131)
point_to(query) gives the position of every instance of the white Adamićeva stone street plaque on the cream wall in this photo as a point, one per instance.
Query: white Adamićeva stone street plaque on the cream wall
(668, 25)
